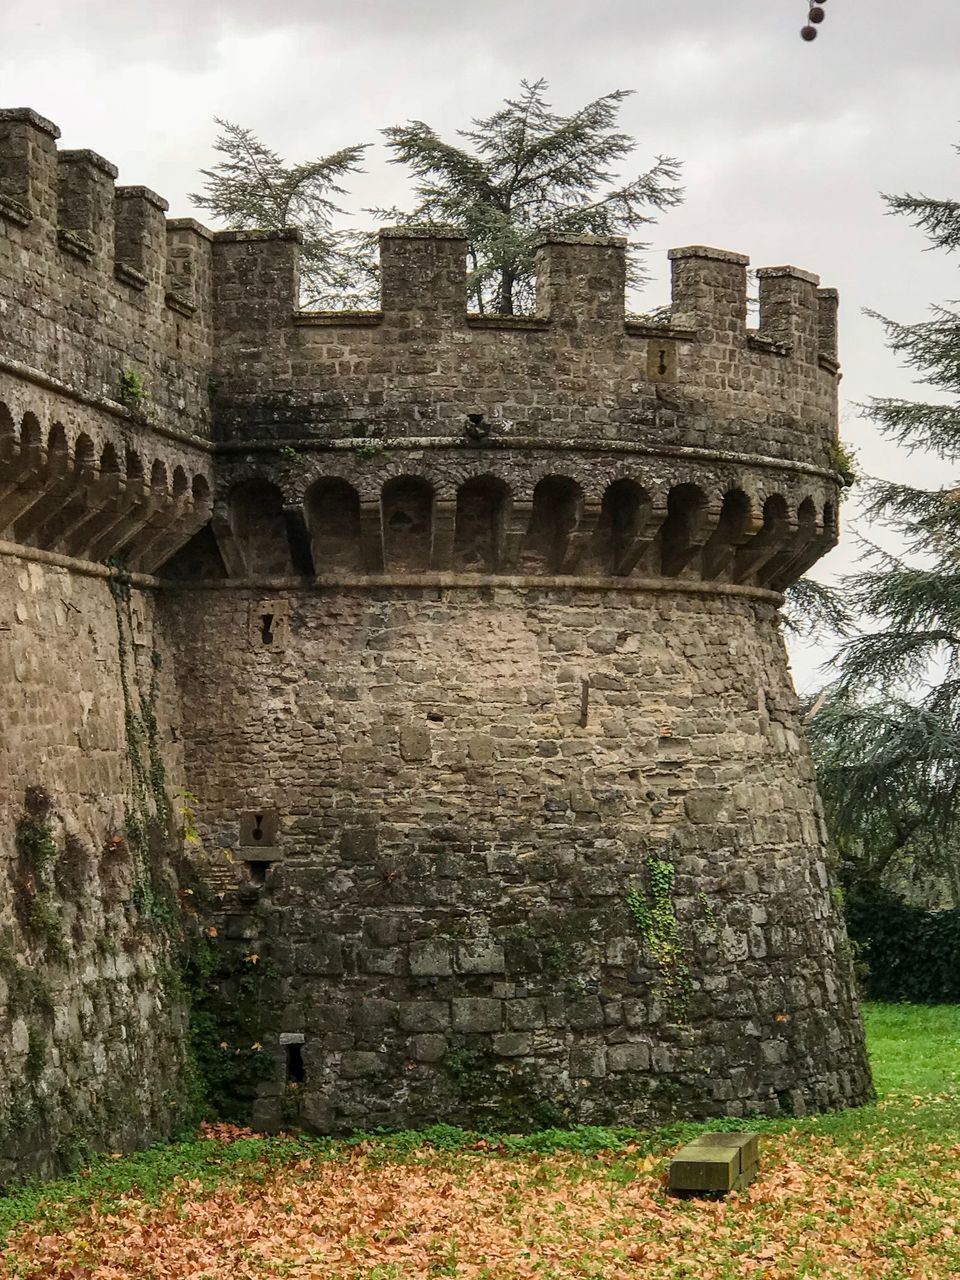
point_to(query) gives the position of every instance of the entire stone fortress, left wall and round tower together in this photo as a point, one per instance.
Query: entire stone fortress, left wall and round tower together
(460, 630)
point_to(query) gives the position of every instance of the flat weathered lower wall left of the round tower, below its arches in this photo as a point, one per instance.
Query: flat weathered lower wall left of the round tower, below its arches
(90, 1023)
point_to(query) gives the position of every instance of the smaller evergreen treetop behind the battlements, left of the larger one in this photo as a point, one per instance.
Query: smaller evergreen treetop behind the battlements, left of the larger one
(254, 189)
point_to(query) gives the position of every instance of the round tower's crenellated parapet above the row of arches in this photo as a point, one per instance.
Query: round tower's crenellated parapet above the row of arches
(577, 371)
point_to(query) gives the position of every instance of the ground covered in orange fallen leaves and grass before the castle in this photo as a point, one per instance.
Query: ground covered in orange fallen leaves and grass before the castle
(865, 1194)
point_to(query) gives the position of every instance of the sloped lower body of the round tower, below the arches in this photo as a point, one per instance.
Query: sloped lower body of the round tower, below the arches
(474, 784)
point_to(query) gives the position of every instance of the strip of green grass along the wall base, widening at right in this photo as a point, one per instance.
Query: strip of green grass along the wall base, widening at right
(916, 1057)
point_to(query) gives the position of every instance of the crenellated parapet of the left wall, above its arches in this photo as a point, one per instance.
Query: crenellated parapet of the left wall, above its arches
(95, 286)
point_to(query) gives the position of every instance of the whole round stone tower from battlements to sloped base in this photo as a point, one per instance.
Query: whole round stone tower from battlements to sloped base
(484, 688)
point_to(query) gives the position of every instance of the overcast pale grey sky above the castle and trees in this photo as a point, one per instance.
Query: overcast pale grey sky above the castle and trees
(787, 145)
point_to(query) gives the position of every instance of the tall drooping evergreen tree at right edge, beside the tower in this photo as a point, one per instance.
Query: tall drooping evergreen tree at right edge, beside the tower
(888, 735)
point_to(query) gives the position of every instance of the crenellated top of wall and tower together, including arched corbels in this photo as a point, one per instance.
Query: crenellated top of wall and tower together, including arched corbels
(177, 332)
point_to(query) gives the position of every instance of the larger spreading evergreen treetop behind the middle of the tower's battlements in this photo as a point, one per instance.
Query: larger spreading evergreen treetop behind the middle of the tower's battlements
(522, 175)
